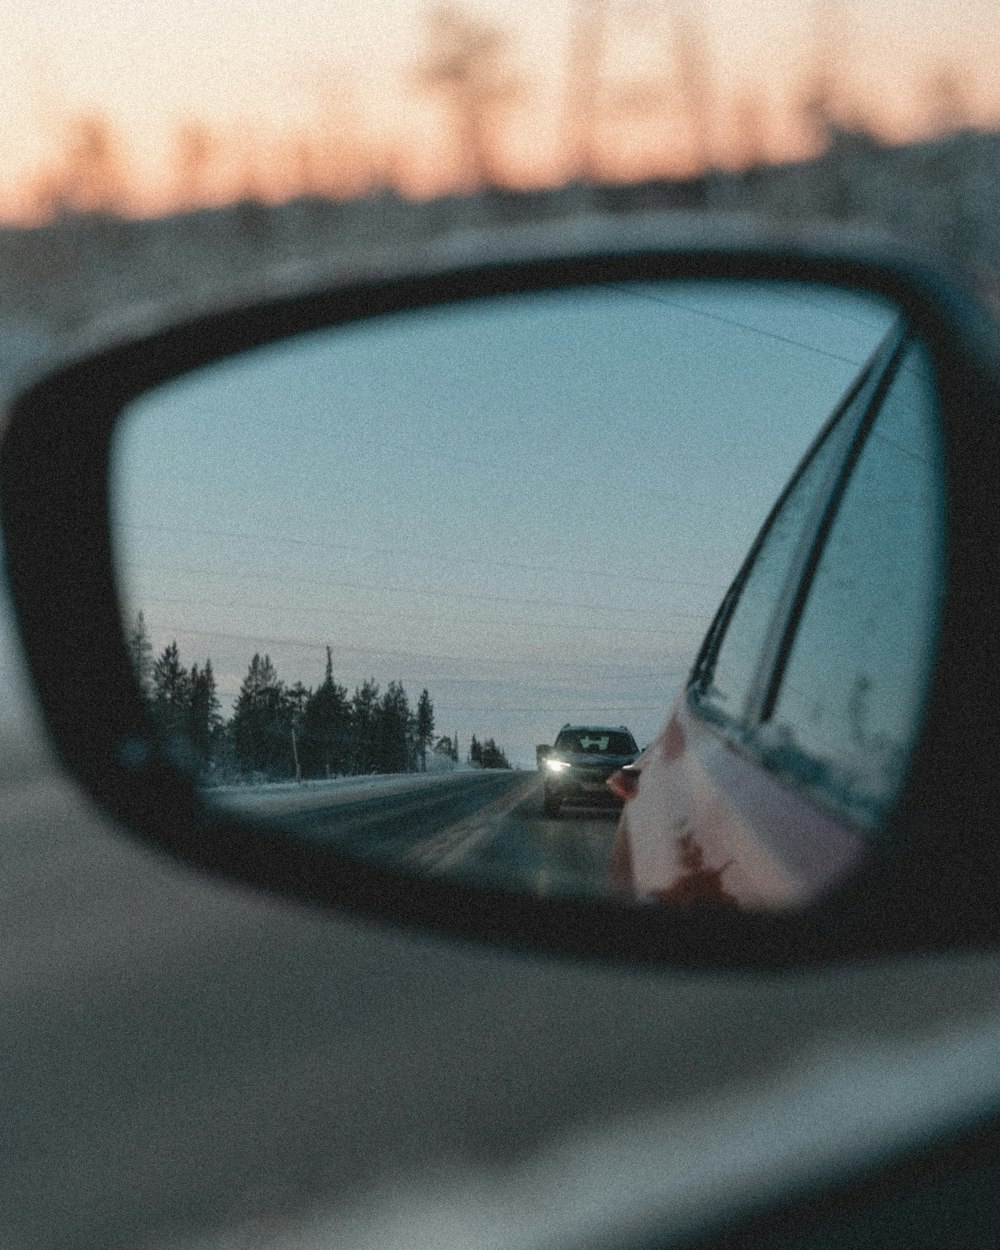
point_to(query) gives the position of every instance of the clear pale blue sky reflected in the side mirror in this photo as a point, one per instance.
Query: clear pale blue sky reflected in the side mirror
(532, 507)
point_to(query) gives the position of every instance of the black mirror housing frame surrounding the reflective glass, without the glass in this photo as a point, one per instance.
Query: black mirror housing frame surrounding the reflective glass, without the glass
(933, 891)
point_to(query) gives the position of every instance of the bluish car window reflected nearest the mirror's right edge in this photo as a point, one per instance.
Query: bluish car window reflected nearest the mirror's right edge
(854, 682)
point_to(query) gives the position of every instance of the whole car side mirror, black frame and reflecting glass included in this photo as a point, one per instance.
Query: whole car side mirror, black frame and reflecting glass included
(278, 581)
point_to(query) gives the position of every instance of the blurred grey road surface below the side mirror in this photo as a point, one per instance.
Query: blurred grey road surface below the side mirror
(183, 1059)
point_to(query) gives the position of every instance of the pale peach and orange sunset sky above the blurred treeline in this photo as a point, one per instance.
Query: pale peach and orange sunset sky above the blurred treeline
(328, 91)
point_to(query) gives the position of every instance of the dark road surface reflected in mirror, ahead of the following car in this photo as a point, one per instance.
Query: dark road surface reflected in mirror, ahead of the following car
(487, 827)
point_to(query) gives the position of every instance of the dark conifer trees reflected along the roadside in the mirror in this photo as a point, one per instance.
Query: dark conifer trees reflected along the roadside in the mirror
(279, 732)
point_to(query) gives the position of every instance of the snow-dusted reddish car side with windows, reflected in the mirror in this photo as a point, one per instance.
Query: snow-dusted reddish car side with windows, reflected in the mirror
(782, 761)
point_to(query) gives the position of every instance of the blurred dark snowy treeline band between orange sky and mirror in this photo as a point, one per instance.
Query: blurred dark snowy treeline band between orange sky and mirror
(942, 193)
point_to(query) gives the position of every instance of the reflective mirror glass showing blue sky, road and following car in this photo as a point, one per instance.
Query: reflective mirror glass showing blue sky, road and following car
(416, 588)
